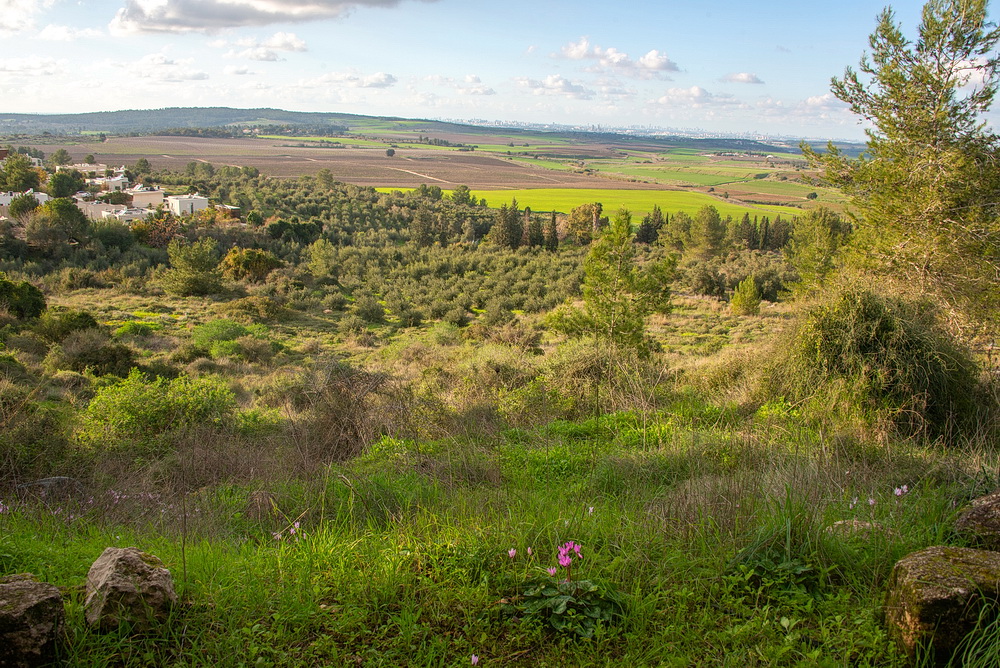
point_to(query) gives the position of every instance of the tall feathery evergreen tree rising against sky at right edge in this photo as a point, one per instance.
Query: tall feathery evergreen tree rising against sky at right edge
(926, 193)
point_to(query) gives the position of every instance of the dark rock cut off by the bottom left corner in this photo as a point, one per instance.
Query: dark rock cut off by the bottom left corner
(31, 621)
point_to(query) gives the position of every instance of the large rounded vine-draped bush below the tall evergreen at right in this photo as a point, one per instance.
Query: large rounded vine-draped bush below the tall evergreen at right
(888, 358)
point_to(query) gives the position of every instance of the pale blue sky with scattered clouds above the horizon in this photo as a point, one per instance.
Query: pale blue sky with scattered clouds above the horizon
(723, 66)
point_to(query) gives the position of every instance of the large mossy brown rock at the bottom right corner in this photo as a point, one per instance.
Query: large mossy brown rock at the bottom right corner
(936, 596)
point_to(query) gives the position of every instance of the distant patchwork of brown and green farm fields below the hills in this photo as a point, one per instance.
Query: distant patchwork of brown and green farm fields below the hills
(682, 176)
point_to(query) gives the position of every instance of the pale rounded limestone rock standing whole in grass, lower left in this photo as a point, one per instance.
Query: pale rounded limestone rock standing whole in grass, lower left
(127, 585)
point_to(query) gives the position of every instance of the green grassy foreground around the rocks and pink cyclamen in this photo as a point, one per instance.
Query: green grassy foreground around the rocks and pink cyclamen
(713, 531)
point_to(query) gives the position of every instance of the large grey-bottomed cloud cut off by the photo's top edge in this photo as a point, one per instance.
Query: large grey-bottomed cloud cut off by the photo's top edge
(209, 15)
